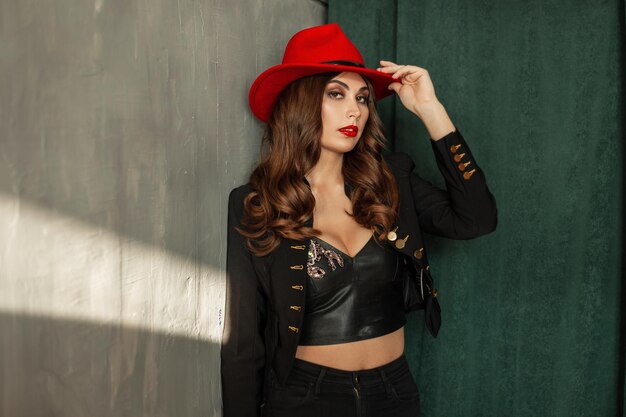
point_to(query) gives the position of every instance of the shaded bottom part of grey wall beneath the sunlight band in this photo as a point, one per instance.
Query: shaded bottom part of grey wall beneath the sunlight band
(73, 368)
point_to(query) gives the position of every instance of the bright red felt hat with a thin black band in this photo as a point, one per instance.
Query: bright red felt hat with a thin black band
(311, 51)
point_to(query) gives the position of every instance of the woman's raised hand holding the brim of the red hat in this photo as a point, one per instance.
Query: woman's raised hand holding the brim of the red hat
(414, 86)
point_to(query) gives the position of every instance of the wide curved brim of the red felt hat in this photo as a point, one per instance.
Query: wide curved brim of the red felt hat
(270, 83)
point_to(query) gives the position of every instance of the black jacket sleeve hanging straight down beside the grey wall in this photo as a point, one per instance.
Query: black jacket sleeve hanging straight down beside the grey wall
(243, 345)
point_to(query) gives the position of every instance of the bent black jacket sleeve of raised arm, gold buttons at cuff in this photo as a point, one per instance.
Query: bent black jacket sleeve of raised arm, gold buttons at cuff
(466, 209)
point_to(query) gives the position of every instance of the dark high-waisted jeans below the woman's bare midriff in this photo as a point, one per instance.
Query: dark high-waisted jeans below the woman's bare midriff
(313, 390)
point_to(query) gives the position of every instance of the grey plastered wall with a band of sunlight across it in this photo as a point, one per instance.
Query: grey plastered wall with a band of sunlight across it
(123, 126)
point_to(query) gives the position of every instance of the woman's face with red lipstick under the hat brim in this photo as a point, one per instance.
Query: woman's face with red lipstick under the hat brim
(344, 112)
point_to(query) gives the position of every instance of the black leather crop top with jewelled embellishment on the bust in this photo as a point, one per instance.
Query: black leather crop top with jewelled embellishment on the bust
(350, 299)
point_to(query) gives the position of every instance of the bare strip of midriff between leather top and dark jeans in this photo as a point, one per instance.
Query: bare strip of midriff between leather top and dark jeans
(359, 355)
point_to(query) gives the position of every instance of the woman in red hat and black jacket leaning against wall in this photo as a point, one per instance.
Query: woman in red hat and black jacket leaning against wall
(320, 238)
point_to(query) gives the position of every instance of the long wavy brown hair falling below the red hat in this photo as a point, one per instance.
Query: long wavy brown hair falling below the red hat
(281, 200)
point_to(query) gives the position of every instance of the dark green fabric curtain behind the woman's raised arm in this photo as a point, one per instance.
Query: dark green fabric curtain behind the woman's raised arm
(532, 312)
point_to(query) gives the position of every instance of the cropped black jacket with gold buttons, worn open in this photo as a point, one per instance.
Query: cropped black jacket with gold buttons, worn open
(265, 298)
